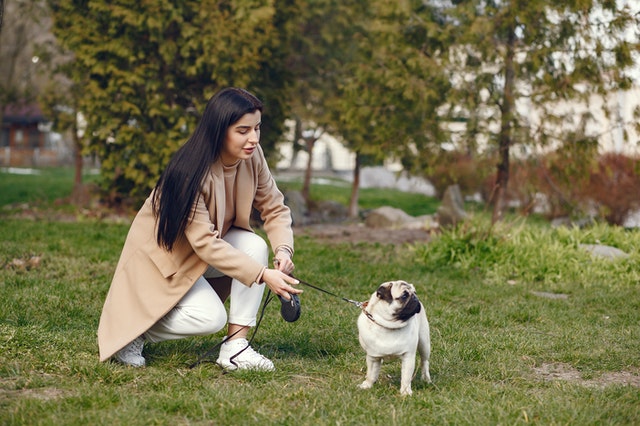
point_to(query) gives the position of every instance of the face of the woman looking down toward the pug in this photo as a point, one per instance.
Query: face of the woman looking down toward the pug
(242, 138)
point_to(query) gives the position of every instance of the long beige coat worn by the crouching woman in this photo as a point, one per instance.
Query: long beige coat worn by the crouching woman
(149, 281)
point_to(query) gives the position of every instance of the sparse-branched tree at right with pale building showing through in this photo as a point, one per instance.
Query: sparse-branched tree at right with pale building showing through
(513, 59)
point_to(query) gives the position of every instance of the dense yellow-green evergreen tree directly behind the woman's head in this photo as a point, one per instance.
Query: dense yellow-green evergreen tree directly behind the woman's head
(151, 66)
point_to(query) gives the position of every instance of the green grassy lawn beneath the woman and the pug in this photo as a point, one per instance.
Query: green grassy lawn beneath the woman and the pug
(526, 329)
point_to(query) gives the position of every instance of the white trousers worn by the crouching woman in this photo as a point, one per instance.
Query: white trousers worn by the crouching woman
(201, 312)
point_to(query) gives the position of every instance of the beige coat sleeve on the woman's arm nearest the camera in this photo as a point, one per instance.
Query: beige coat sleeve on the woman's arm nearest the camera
(204, 237)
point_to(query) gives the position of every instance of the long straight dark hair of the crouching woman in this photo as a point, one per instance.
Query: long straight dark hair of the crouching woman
(179, 185)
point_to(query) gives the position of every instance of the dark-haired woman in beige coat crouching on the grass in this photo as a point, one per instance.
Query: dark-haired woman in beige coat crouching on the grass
(190, 245)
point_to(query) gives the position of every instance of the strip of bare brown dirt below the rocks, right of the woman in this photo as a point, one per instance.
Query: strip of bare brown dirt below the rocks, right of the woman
(360, 233)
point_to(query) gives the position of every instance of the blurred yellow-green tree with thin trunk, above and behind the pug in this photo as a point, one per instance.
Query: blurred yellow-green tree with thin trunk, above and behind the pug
(391, 83)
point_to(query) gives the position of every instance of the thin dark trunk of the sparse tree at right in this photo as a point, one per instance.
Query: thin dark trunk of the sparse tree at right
(505, 137)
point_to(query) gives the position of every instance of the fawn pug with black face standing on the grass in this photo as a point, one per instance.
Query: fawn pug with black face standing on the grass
(393, 324)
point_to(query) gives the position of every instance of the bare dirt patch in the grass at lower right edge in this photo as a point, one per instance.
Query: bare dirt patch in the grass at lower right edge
(565, 372)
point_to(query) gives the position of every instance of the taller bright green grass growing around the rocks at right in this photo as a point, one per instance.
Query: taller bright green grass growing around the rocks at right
(520, 253)
